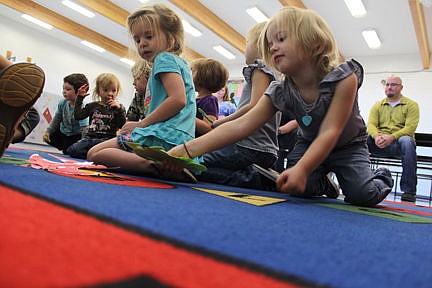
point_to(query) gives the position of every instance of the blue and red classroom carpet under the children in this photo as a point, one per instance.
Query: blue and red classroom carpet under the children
(113, 230)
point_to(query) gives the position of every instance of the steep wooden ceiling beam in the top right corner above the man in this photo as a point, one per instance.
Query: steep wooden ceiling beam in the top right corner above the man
(418, 18)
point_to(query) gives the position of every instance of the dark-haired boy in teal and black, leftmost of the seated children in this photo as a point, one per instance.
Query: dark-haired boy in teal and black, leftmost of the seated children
(64, 130)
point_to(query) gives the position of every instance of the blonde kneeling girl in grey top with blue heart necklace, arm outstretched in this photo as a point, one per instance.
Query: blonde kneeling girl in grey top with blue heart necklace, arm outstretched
(322, 93)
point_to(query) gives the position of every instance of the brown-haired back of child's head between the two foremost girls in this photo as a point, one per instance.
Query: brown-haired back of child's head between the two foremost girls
(209, 74)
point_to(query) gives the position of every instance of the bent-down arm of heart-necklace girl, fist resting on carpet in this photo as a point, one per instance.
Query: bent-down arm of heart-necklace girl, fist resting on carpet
(293, 180)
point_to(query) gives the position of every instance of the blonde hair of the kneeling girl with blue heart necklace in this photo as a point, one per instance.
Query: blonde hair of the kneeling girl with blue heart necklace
(310, 33)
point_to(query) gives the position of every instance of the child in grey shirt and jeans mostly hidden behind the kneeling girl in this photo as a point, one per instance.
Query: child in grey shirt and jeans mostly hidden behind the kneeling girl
(231, 164)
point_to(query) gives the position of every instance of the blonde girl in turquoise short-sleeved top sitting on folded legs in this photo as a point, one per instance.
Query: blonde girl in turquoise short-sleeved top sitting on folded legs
(157, 32)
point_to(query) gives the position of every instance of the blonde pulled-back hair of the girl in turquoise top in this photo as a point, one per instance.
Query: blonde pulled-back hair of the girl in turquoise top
(161, 19)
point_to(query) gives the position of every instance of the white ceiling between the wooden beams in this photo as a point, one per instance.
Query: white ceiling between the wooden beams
(391, 18)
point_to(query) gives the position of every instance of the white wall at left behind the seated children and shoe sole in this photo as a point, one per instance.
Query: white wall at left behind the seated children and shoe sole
(58, 59)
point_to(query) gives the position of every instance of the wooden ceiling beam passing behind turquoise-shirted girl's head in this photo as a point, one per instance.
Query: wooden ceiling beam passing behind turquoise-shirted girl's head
(119, 15)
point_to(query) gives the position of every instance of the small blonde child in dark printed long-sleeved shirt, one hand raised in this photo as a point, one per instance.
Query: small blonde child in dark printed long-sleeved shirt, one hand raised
(106, 115)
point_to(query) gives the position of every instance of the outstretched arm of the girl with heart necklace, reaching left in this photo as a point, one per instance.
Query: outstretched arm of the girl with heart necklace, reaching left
(229, 132)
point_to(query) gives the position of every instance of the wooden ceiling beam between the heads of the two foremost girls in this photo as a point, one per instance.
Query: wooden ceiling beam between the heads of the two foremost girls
(206, 17)
